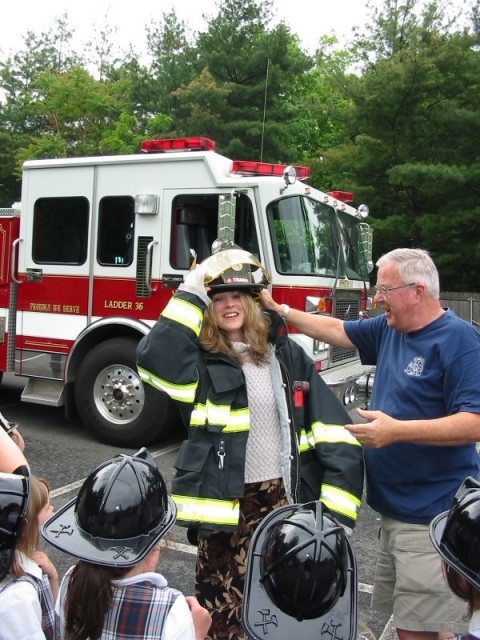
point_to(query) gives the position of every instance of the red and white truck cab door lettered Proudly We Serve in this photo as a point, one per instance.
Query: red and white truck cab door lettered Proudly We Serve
(54, 265)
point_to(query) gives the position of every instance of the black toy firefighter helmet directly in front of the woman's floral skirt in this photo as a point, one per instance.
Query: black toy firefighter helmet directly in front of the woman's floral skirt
(301, 568)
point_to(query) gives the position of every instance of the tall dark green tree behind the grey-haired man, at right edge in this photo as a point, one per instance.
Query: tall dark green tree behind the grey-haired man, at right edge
(412, 136)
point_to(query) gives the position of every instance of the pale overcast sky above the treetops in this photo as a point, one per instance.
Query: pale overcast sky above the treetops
(308, 18)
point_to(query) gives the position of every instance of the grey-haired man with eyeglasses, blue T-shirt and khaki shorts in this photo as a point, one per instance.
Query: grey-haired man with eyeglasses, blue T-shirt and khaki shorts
(419, 435)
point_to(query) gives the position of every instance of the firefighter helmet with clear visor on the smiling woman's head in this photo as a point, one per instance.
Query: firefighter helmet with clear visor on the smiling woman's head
(232, 269)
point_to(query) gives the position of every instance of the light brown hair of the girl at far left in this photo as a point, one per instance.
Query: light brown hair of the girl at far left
(29, 537)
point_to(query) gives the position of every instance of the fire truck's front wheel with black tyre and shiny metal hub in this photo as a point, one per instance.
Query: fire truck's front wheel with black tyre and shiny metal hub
(112, 400)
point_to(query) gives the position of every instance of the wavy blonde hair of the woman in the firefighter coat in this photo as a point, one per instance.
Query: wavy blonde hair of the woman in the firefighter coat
(255, 329)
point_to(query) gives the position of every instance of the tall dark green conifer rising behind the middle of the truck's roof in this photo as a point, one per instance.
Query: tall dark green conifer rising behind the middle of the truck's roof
(255, 67)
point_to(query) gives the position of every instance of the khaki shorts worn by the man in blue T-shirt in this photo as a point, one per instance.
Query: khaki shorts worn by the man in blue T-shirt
(409, 581)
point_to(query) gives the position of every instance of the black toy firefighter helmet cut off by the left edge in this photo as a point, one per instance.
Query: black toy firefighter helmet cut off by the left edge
(14, 490)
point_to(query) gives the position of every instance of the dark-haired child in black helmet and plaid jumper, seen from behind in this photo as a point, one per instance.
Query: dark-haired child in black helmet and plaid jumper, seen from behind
(114, 528)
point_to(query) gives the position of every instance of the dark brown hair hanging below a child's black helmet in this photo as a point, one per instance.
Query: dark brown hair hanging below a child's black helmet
(89, 597)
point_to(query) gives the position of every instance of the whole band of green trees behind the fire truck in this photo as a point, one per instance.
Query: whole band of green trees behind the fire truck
(393, 117)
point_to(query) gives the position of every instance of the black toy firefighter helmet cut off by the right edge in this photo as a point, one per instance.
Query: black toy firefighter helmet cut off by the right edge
(456, 533)
